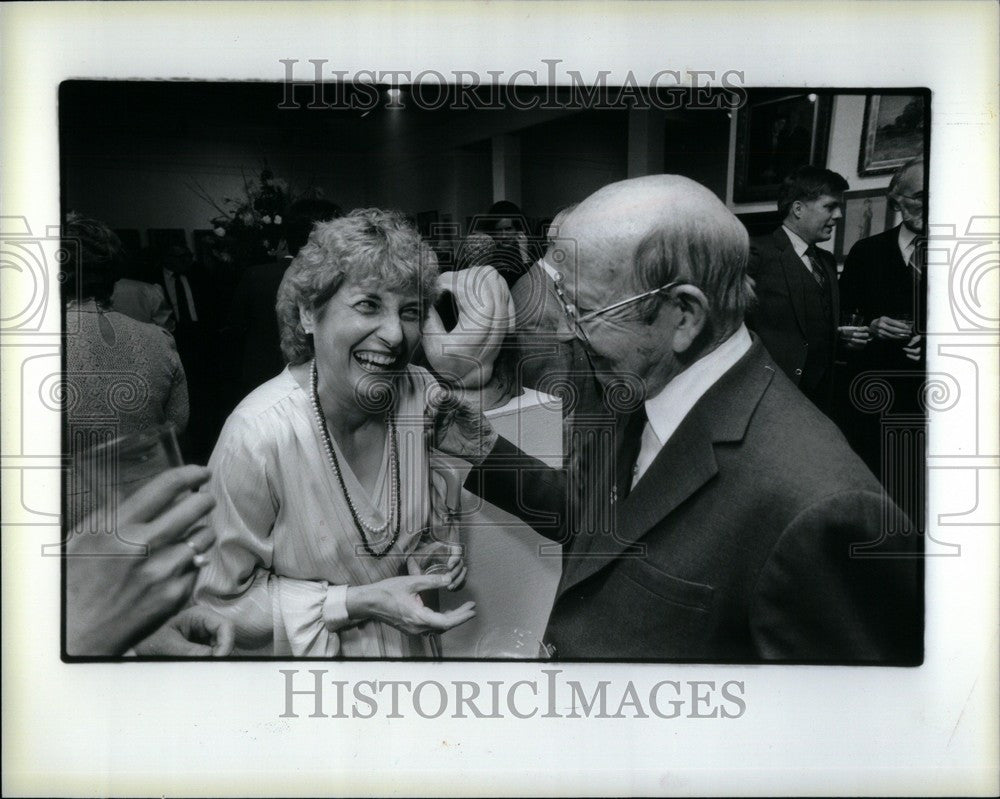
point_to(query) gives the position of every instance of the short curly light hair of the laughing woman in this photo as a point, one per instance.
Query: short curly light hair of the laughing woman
(367, 244)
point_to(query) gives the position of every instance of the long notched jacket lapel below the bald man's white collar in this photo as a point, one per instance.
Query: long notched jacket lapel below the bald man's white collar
(684, 464)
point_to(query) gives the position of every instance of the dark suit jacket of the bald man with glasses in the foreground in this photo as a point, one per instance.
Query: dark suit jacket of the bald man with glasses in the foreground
(736, 544)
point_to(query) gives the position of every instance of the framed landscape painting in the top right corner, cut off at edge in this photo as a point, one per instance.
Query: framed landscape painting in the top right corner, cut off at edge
(892, 133)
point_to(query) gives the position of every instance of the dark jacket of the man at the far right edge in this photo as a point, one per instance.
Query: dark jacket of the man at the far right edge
(878, 282)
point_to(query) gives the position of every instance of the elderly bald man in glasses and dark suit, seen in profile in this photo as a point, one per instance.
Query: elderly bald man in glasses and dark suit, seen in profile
(731, 522)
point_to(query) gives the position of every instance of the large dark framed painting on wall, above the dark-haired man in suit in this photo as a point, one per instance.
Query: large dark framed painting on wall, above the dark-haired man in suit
(776, 132)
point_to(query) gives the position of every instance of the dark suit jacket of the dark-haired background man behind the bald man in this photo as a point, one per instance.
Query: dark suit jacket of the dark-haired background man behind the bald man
(780, 318)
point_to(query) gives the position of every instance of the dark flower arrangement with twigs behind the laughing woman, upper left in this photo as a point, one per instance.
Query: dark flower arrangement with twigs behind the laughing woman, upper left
(249, 229)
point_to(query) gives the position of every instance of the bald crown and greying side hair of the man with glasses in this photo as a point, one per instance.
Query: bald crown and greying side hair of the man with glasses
(640, 234)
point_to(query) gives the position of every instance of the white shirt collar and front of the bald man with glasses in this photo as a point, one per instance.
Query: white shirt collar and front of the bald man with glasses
(667, 410)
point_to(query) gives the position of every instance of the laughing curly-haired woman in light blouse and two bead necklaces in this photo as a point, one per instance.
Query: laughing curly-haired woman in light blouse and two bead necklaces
(323, 475)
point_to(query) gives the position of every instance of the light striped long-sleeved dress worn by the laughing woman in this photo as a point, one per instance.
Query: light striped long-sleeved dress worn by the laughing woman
(285, 536)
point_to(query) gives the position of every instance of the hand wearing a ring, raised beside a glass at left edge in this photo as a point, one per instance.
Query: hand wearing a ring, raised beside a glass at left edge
(114, 594)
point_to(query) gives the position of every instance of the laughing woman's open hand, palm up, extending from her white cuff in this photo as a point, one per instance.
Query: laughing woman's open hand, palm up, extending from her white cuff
(396, 601)
